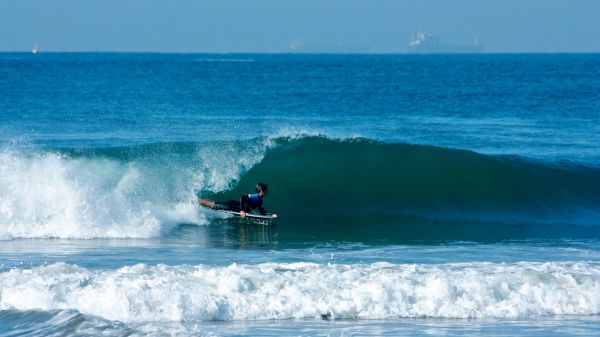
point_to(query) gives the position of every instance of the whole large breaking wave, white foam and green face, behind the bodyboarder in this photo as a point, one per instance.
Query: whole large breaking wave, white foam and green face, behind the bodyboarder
(353, 189)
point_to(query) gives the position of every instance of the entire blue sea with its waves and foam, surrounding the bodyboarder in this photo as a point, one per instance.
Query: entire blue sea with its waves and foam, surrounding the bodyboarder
(417, 195)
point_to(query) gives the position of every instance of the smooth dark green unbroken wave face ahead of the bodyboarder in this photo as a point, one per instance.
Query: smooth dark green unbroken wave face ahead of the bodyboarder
(354, 187)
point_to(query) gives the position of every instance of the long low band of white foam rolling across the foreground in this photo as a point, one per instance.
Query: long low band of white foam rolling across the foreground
(142, 293)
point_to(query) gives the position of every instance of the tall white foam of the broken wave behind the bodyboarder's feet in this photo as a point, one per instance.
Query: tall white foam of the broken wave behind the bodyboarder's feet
(50, 195)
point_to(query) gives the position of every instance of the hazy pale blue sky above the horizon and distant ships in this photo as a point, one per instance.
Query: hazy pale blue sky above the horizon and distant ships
(378, 26)
